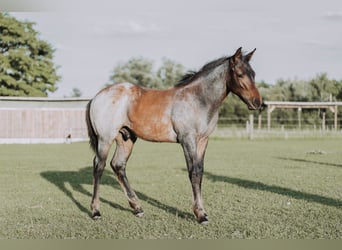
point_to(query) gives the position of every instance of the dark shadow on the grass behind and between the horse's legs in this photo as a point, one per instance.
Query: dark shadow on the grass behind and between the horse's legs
(84, 177)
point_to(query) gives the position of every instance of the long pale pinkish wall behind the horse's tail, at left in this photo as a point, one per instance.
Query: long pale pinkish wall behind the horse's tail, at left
(42, 120)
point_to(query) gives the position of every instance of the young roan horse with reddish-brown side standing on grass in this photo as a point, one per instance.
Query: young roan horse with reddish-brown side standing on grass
(186, 114)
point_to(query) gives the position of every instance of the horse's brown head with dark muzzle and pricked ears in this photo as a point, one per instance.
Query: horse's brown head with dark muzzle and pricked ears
(241, 79)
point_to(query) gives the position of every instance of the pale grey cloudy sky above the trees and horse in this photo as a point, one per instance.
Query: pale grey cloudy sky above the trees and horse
(295, 39)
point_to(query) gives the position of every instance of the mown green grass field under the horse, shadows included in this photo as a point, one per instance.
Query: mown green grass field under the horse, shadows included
(273, 189)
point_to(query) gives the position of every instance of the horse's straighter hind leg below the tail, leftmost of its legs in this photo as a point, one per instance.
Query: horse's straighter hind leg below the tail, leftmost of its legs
(99, 165)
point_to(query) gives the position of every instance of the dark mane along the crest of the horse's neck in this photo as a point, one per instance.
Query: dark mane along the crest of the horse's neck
(206, 69)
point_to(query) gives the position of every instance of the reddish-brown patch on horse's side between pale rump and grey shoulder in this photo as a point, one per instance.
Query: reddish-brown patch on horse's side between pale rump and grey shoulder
(150, 115)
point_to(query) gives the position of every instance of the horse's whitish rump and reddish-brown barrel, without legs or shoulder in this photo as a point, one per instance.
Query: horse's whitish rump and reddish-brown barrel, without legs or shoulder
(147, 112)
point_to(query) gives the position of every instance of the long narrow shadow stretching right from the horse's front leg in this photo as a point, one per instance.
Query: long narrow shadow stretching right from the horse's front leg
(276, 189)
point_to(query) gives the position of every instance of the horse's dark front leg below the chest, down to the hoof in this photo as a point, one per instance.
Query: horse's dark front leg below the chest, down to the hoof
(194, 151)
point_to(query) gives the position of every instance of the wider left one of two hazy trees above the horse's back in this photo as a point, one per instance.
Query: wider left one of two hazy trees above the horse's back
(137, 70)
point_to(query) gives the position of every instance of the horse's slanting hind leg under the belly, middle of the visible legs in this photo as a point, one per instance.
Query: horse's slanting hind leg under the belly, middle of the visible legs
(123, 151)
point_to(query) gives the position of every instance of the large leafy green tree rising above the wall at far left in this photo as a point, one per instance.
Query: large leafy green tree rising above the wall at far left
(26, 66)
